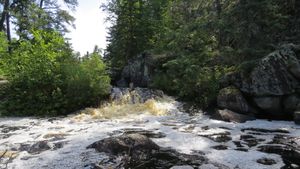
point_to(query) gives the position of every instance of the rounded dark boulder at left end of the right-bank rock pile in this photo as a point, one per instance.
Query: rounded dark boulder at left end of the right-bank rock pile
(231, 98)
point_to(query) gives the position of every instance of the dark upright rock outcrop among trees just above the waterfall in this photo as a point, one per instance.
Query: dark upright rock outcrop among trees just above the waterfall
(138, 72)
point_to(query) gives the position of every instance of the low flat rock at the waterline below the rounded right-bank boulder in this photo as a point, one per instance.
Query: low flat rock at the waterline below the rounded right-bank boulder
(230, 116)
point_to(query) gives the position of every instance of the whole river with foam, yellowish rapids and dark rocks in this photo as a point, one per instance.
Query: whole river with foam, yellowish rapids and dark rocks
(194, 141)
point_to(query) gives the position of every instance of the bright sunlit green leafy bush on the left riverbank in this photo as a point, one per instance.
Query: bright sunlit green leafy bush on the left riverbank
(46, 79)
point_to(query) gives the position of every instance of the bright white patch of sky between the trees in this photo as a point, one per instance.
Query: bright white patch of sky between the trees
(90, 26)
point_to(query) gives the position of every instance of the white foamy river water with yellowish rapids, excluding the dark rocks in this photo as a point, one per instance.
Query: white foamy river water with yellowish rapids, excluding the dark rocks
(78, 131)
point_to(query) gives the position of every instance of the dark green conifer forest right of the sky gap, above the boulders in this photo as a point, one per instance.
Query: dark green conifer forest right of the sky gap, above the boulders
(199, 40)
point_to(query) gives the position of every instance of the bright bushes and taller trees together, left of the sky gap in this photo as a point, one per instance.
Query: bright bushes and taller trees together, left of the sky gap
(45, 77)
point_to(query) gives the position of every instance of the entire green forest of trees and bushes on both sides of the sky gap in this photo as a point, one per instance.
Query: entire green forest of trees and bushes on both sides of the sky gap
(194, 43)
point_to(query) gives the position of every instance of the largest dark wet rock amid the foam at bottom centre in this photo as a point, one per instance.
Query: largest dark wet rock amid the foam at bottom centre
(138, 151)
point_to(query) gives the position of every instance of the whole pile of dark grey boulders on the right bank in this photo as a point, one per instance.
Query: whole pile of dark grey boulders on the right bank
(271, 86)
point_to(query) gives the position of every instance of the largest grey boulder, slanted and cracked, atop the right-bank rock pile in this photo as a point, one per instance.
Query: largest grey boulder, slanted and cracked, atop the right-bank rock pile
(277, 74)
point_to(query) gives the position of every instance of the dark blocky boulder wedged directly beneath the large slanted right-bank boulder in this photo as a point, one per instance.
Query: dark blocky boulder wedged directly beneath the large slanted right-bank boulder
(269, 104)
